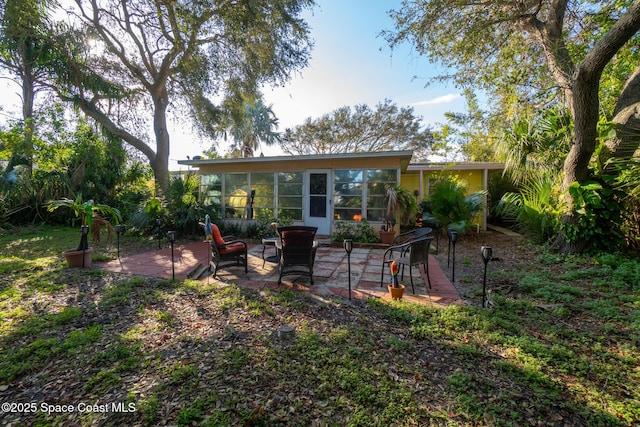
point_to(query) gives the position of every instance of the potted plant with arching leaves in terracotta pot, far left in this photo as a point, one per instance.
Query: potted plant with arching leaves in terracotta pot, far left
(81, 256)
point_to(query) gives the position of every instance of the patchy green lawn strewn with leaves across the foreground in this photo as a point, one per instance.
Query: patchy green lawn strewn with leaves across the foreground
(558, 346)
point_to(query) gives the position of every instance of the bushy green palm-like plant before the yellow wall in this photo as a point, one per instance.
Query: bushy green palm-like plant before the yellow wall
(450, 205)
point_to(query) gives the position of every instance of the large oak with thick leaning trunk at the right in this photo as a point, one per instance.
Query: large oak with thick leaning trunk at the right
(539, 52)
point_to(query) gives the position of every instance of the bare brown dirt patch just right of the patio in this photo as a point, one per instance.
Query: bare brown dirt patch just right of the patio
(509, 253)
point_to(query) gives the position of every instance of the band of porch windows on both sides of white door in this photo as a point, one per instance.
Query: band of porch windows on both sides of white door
(354, 193)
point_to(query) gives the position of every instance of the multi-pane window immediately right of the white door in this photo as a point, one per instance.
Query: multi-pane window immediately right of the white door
(347, 194)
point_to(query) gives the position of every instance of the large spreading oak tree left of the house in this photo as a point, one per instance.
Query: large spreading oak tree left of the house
(142, 57)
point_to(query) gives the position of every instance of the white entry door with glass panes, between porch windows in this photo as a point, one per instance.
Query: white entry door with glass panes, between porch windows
(318, 200)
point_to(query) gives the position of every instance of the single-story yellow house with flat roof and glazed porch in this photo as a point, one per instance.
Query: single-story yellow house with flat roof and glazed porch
(318, 189)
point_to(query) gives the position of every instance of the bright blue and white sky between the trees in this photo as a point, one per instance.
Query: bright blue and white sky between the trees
(350, 64)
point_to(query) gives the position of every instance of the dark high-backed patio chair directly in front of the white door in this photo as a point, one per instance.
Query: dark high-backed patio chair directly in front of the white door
(297, 250)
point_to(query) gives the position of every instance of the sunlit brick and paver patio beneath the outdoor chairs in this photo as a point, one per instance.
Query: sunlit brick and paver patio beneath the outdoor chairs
(330, 272)
